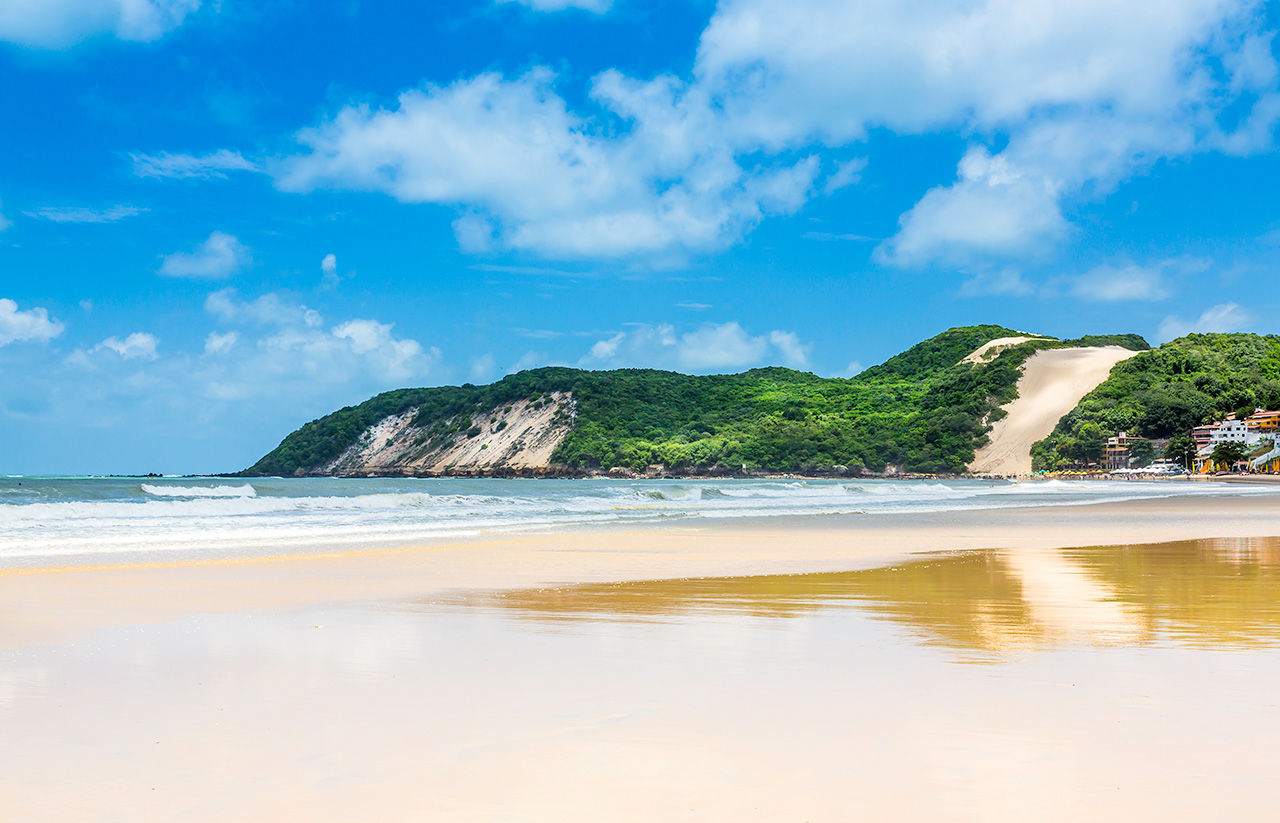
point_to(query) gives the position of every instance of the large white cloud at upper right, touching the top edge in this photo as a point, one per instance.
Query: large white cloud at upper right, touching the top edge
(1086, 94)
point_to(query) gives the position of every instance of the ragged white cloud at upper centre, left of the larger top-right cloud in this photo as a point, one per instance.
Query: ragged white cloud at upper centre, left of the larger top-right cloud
(533, 176)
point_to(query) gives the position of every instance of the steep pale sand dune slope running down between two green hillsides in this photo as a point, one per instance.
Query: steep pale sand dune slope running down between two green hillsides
(1053, 383)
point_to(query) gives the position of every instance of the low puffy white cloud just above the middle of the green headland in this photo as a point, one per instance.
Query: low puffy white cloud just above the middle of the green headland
(707, 349)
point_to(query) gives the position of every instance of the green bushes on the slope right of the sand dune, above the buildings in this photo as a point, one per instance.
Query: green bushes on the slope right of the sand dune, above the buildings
(1165, 392)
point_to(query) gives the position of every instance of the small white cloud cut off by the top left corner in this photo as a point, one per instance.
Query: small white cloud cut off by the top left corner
(61, 24)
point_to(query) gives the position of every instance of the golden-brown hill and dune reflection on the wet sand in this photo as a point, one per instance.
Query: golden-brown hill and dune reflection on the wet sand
(1222, 592)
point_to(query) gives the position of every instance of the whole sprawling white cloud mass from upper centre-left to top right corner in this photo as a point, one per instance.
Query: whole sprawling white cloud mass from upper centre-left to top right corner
(1078, 97)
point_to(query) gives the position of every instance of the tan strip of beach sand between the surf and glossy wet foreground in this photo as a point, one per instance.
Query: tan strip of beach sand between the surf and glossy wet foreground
(49, 605)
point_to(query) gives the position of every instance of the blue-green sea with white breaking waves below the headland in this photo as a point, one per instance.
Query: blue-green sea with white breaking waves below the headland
(83, 520)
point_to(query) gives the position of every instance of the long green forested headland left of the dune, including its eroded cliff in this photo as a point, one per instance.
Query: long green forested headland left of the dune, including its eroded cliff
(924, 410)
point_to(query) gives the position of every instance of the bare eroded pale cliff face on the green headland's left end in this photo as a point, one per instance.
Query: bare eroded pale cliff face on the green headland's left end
(518, 437)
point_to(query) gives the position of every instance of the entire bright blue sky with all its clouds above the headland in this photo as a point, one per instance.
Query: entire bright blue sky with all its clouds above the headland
(223, 220)
